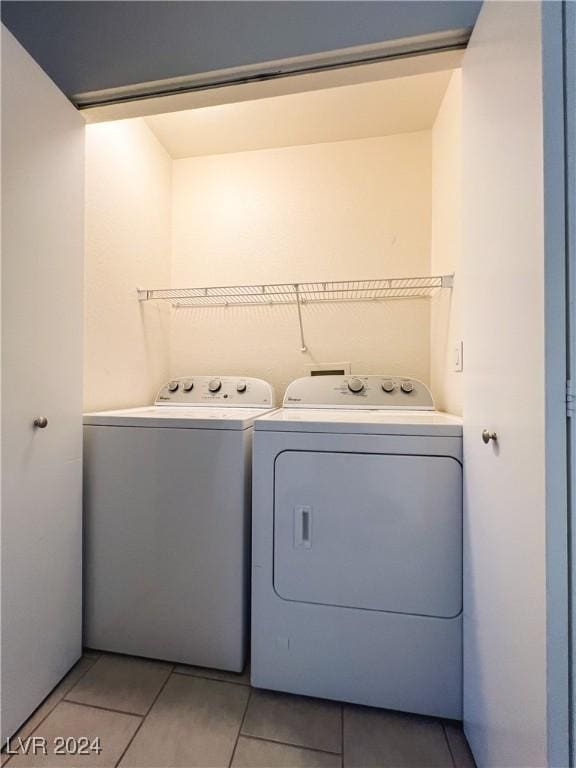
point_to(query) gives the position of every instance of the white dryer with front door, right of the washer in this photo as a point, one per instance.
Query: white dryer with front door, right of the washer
(357, 546)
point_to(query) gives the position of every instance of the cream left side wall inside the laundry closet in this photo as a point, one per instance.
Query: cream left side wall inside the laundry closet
(128, 195)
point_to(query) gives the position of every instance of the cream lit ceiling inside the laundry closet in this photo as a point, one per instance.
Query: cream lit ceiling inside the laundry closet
(365, 110)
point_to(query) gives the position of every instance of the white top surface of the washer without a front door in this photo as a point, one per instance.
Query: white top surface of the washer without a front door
(177, 417)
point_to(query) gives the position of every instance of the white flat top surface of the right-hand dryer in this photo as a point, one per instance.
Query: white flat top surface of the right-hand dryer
(374, 422)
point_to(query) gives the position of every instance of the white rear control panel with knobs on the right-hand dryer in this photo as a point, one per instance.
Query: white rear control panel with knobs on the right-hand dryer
(370, 392)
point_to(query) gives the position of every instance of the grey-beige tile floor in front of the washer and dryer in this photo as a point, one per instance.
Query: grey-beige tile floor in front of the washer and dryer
(150, 714)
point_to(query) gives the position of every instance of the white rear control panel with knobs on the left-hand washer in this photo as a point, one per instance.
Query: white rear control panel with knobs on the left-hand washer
(222, 391)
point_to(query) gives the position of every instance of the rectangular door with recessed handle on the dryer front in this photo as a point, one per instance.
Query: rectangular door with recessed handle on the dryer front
(375, 531)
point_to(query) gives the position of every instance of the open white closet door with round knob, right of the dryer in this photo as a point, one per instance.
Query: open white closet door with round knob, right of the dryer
(505, 698)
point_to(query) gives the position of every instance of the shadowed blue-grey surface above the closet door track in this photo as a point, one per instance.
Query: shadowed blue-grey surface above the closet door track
(89, 46)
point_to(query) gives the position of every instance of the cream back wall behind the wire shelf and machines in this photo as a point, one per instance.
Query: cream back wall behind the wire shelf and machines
(347, 210)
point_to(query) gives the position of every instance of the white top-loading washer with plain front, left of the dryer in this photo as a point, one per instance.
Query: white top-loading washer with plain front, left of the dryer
(167, 503)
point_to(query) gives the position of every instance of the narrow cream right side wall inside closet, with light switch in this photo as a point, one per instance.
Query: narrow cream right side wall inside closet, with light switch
(446, 247)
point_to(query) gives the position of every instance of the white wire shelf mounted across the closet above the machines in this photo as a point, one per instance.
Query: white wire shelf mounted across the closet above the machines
(300, 293)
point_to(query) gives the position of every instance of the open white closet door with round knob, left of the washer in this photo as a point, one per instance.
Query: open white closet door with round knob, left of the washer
(42, 289)
